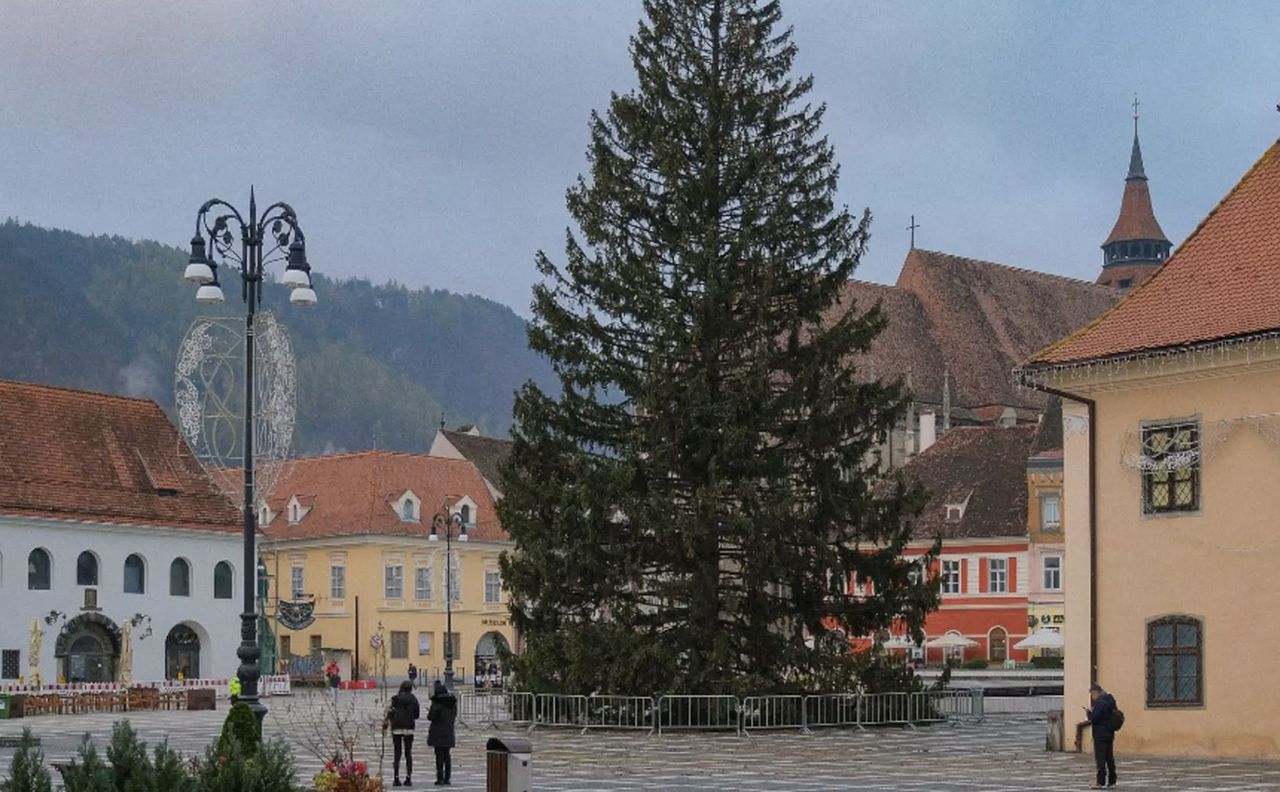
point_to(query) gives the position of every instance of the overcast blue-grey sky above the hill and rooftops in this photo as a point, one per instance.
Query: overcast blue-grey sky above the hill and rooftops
(432, 143)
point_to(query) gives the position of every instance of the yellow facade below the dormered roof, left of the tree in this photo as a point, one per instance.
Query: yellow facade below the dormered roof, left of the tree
(397, 584)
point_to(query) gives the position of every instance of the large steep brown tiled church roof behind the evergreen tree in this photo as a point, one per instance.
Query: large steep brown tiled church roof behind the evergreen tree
(976, 318)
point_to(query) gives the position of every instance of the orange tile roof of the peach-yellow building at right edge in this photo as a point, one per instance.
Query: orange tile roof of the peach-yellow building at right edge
(1223, 283)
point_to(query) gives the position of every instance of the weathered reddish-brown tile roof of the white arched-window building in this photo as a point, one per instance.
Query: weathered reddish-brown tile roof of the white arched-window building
(76, 455)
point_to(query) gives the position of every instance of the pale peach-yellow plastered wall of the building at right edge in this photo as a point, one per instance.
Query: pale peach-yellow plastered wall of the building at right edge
(1214, 565)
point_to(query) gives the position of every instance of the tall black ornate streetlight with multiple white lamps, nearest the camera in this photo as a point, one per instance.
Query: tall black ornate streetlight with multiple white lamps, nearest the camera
(277, 228)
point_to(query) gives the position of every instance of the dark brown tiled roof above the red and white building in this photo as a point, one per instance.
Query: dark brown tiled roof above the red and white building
(984, 465)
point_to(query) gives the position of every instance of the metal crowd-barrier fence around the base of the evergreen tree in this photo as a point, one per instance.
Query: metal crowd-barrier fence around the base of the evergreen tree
(719, 713)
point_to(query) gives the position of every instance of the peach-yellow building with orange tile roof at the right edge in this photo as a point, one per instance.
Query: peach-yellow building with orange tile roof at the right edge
(1172, 433)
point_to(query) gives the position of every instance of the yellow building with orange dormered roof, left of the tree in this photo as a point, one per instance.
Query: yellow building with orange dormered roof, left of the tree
(350, 538)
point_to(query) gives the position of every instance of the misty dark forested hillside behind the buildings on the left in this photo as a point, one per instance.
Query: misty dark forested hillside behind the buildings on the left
(377, 364)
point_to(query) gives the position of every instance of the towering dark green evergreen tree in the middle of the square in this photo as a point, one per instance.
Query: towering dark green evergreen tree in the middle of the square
(691, 510)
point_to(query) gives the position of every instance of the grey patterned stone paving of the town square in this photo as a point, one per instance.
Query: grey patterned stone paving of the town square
(1004, 754)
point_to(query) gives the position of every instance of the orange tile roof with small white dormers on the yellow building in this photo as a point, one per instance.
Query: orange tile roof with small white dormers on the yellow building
(354, 495)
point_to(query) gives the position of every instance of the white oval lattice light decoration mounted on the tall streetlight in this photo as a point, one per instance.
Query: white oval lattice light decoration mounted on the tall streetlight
(209, 390)
